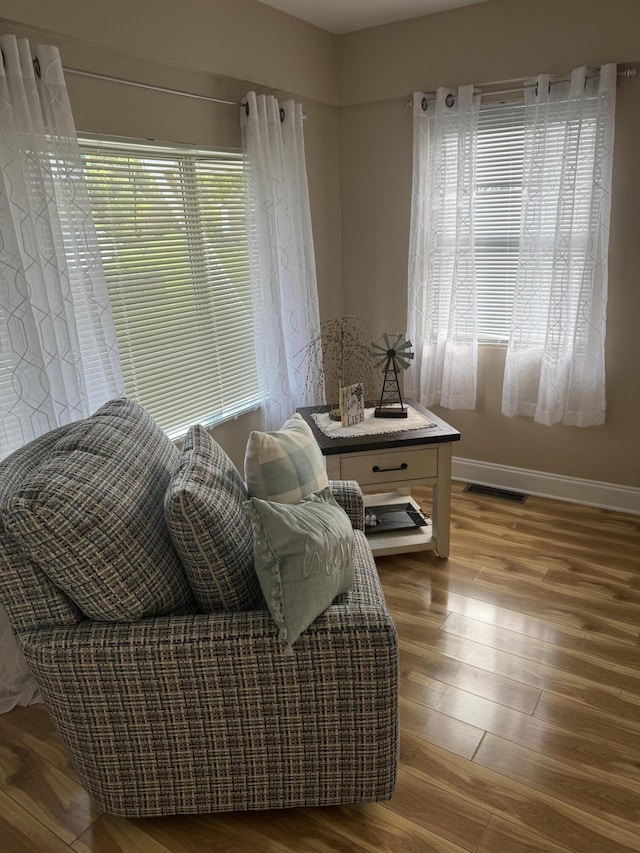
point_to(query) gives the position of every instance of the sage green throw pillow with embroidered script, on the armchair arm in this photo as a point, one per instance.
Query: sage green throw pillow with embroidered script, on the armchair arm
(303, 556)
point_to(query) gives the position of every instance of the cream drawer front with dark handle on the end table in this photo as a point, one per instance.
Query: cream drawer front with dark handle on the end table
(390, 466)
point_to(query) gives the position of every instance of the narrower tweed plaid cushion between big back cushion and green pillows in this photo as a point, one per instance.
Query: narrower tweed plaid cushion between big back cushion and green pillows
(210, 530)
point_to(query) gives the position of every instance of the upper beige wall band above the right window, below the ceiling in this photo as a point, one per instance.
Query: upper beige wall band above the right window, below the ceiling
(490, 41)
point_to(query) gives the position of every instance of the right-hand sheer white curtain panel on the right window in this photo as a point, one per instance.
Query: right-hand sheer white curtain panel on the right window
(555, 369)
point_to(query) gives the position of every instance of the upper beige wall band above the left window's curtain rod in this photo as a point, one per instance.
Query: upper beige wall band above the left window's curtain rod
(239, 39)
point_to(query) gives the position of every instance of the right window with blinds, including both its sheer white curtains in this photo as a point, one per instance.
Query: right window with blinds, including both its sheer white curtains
(484, 174)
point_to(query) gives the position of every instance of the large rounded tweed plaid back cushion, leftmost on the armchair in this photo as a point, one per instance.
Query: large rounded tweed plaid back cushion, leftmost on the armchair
(91, 517)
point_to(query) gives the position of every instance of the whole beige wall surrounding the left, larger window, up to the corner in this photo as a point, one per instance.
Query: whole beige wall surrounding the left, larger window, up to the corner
(217, 48)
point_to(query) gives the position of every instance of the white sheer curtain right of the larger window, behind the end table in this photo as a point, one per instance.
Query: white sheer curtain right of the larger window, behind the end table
(285, 295)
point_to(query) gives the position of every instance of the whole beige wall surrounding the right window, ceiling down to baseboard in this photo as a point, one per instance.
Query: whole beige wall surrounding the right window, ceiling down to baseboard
(493, 41)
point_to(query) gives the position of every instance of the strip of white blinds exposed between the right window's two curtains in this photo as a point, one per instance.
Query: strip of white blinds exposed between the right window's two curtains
(498, 209)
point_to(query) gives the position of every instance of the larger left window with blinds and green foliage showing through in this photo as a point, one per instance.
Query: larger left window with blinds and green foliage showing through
(172, 235)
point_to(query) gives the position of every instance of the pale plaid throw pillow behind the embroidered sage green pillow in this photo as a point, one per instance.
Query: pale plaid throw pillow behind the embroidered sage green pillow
(285, 465)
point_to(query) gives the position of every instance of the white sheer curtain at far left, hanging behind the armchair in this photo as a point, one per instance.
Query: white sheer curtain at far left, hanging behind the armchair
(58, 353)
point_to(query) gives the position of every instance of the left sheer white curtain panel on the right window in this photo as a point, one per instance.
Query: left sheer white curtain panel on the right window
(441, 320)
